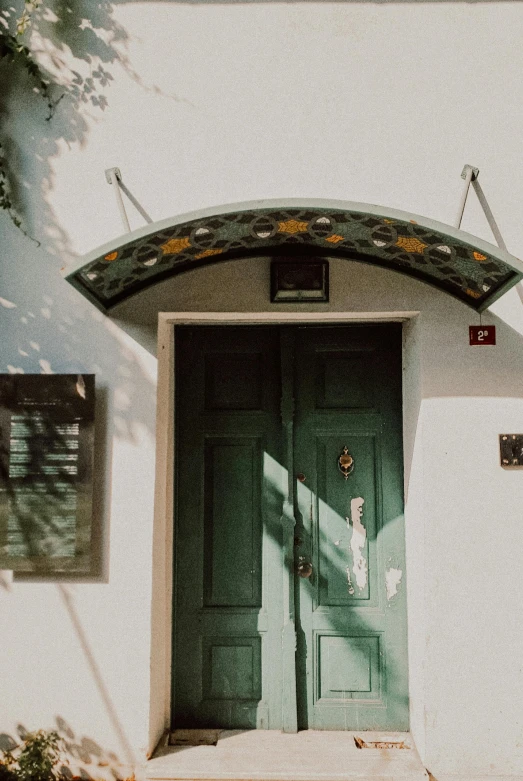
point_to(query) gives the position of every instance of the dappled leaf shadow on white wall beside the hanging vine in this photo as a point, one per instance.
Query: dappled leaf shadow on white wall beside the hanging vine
(80, 48)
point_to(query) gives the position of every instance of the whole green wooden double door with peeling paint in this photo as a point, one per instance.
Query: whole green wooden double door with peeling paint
(255, 645)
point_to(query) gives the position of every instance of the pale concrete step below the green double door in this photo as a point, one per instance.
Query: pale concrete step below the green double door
(268, 755)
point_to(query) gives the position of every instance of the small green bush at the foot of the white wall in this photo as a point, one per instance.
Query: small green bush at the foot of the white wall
(36, 759)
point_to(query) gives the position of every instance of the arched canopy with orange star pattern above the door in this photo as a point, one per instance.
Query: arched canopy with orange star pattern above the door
(462, 265)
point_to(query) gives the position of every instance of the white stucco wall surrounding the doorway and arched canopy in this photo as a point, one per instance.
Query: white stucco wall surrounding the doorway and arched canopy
(223, 102)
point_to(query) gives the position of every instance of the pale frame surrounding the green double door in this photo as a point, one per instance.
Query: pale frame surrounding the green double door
(163, 530)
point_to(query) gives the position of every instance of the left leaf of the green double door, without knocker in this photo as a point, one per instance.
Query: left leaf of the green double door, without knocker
(227, 549)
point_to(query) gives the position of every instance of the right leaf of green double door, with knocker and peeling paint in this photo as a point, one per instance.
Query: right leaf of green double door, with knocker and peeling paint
(351, 639)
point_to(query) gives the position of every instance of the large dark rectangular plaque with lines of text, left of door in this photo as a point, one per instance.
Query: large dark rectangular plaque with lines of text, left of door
(46, 470)
